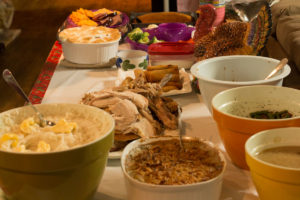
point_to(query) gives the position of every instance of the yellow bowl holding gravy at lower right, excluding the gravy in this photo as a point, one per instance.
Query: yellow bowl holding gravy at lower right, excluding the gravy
(273, 182)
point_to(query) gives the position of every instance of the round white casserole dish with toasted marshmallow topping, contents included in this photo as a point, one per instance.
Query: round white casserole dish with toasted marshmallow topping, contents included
(90, 45)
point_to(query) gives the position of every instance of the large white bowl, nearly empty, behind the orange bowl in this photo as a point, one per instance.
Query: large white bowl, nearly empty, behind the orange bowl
(221, 73)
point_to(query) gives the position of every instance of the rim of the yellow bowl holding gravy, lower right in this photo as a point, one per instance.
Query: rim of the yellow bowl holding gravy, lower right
(247, 150)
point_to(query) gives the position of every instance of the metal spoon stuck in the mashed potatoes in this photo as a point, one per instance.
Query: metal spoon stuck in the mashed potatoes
(11, 81)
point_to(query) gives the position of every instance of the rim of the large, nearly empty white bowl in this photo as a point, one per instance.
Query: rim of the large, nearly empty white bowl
(286, 70)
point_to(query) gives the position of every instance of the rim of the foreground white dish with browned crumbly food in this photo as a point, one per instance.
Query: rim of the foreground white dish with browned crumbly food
(185, 186)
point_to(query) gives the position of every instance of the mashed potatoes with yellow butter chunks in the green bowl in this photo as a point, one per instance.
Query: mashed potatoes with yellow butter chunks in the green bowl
(29, 136)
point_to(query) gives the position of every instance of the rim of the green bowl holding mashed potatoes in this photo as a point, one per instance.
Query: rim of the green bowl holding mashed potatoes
(66, 150)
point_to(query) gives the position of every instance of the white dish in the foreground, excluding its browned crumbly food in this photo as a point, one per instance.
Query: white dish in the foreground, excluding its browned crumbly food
(136, 190)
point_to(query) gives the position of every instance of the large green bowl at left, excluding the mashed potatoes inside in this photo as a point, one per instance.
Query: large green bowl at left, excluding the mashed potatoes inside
(72, 174)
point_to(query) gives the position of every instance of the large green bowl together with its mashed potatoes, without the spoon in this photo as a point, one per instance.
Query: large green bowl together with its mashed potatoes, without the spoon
(65, 161)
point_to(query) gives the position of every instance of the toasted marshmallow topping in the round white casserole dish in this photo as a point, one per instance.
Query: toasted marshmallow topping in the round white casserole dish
(89, 34)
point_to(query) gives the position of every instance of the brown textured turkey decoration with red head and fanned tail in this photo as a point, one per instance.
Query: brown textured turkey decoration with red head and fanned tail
(231, 37)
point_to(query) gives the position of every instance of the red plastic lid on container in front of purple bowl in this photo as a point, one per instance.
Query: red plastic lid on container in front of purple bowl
(171, 48)
